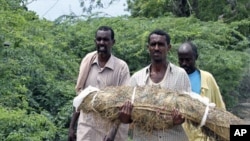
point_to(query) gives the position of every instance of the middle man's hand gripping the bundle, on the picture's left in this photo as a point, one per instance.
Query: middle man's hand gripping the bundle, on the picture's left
(126, 112)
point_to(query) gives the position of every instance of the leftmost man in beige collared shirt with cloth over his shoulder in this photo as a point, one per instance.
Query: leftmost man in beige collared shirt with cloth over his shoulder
(99, 69)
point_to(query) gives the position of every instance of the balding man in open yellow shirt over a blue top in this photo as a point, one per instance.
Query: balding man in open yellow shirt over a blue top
(202, 83)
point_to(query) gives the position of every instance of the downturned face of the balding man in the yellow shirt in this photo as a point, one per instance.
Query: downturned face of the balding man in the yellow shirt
(187, 60)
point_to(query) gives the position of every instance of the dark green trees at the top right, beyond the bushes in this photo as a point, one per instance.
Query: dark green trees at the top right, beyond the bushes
(206, 10)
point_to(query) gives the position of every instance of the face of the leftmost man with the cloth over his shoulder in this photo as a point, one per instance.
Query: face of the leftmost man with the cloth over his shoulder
(104, 42)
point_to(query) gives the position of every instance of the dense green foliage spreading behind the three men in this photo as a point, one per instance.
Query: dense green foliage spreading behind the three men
(39, 62)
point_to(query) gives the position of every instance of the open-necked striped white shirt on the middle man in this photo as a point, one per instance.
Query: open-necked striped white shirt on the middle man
(176, 79)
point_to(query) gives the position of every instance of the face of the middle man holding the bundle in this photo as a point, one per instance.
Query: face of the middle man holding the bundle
(158, 47)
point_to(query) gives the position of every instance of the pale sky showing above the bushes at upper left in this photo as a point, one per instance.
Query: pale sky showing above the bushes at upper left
(52, 9)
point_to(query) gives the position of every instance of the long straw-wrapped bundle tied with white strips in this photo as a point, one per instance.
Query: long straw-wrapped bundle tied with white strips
(153, 107)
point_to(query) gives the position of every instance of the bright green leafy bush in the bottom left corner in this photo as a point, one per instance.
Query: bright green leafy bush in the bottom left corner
(18, 125)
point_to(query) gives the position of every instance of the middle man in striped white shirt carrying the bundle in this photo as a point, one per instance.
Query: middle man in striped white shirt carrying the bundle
(161, 73)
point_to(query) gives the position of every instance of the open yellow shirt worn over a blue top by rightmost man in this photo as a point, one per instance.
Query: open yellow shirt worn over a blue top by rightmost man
(209, 89)
